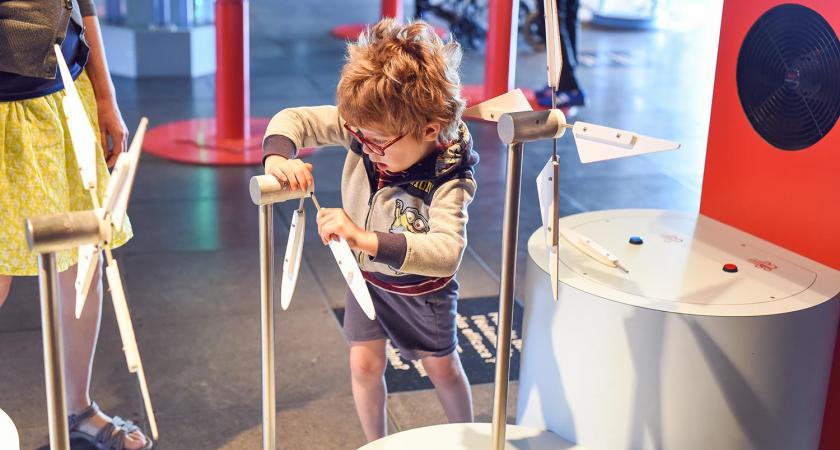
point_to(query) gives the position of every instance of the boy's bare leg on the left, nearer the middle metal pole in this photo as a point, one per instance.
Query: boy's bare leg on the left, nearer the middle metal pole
(367, 367)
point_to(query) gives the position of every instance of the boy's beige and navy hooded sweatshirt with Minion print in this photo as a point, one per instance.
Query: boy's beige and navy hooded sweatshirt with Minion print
(419, 217)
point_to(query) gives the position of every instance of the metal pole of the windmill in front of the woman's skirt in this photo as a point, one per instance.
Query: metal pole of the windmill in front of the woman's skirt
(53, 352)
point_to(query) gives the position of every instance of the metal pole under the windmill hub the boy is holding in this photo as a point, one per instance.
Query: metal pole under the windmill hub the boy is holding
(267, 324)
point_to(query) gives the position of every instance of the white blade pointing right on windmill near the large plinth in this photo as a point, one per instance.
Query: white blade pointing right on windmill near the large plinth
(600, 143)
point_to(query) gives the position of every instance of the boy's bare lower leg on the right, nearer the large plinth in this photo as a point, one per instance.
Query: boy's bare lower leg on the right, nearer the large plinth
(451, 385)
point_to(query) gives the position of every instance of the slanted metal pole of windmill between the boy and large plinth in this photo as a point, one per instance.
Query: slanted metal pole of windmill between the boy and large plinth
(509, 244)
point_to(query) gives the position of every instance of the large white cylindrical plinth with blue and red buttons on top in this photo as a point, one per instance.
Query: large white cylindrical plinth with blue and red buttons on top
(677, 354)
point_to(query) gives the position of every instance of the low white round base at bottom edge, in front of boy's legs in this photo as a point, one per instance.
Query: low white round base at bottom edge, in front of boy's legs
(470, 436)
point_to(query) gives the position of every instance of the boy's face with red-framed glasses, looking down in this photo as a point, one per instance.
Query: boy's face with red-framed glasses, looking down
(403, 152)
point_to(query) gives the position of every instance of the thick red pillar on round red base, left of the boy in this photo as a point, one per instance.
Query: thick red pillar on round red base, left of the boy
(233, 109)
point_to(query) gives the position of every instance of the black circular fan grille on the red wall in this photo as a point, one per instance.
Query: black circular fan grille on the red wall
(789, 77)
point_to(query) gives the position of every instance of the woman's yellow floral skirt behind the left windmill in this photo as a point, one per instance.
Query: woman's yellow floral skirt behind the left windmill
(39, 175)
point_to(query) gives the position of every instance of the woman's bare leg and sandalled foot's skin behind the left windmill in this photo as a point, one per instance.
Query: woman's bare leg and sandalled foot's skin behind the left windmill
(80, 336)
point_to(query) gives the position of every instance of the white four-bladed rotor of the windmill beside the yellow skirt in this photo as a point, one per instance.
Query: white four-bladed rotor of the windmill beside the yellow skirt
(113, 213)
